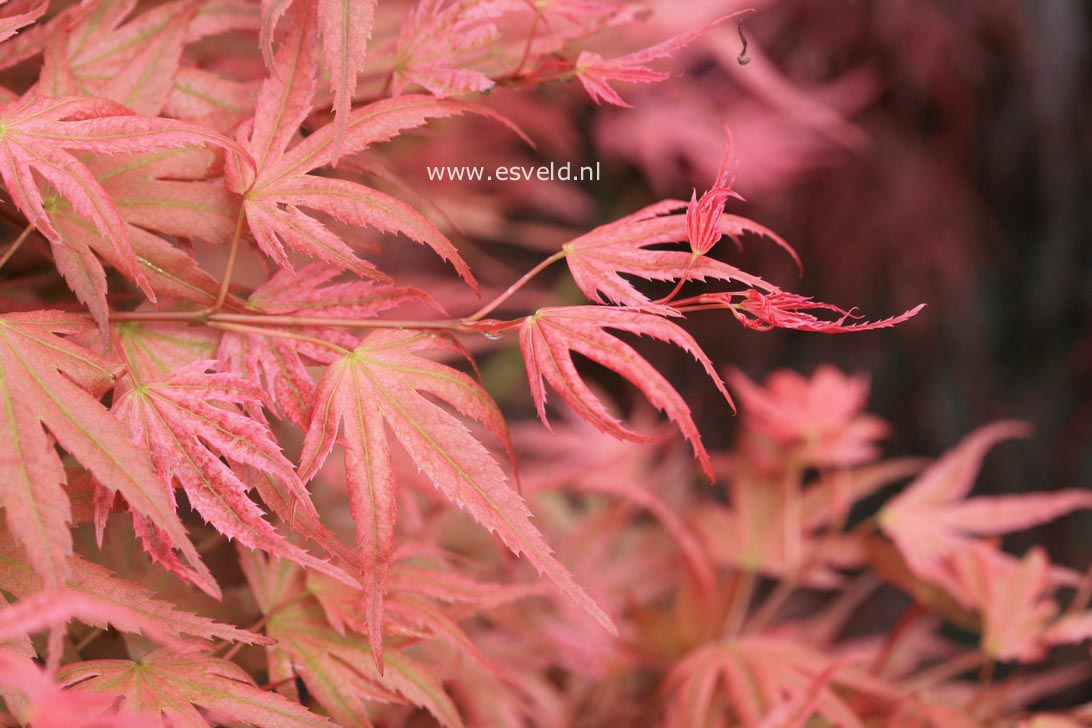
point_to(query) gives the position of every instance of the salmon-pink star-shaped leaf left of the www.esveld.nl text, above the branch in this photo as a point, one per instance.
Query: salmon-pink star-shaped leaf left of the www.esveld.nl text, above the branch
(272, 200)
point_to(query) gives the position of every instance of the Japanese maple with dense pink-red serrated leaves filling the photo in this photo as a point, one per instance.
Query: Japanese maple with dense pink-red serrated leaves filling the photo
(208, 293)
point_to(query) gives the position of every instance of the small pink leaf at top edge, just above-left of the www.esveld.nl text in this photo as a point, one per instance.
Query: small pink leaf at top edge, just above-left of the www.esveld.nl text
(432, 38)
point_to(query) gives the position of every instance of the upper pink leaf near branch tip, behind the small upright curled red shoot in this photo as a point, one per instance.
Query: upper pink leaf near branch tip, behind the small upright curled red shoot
(599, 260)
